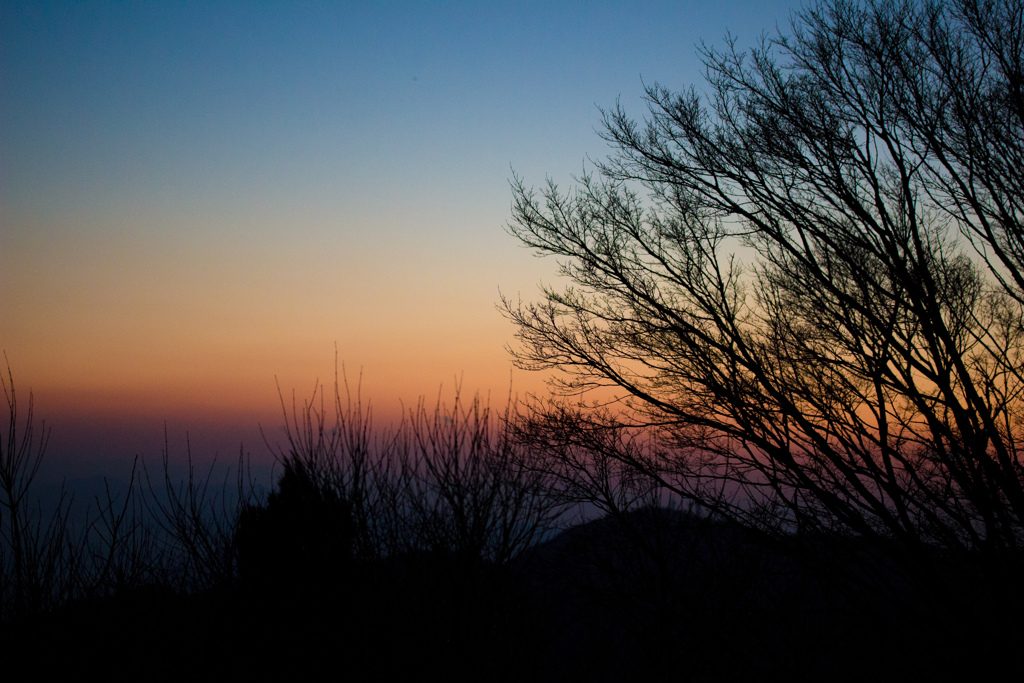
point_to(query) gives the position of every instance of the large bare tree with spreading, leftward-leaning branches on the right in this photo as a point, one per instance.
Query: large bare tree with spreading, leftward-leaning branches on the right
(805, 285)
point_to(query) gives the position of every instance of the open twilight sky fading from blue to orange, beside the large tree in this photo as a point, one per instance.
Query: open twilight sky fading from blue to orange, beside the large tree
(203, 202)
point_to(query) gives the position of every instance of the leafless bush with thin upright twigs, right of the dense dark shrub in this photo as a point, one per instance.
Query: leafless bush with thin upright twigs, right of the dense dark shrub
(445, 480)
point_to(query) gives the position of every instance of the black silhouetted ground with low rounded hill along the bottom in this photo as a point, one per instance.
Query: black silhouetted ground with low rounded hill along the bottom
(656, 595)
